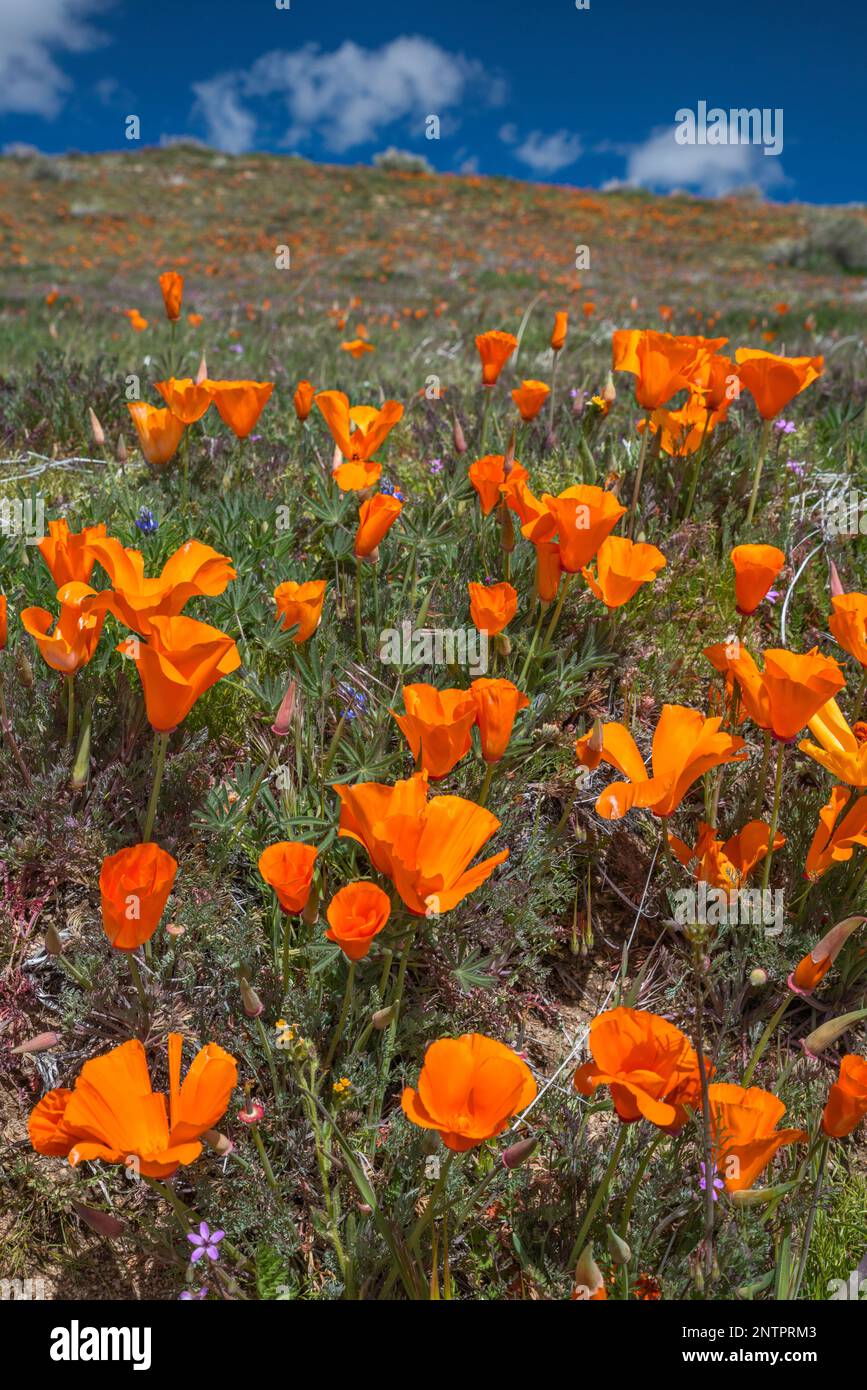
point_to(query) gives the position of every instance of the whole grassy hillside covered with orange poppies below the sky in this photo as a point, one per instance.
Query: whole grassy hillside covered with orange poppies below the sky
(434, 740)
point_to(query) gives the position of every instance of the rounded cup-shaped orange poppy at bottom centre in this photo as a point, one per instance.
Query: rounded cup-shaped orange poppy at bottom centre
(469, 1089)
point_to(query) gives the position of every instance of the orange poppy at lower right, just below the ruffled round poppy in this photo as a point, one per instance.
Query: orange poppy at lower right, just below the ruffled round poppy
(745, 1136)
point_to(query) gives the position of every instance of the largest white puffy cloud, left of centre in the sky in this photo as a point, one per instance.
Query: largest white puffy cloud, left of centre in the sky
(344, 98)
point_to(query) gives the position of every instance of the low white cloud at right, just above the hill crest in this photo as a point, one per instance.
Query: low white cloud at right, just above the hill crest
(712, 170)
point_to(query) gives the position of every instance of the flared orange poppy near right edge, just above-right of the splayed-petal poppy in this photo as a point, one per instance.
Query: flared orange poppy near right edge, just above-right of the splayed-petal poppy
(788, 693)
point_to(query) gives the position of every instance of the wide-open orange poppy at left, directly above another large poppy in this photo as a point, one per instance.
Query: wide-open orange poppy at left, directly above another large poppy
(194, 571)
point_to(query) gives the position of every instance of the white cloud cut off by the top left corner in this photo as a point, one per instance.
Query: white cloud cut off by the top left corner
(31, 34)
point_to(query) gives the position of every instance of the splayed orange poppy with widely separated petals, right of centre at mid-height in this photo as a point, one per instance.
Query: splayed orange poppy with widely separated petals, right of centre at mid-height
(686, 746)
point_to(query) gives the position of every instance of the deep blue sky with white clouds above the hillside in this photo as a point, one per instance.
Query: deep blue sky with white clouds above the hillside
(529, 88)
